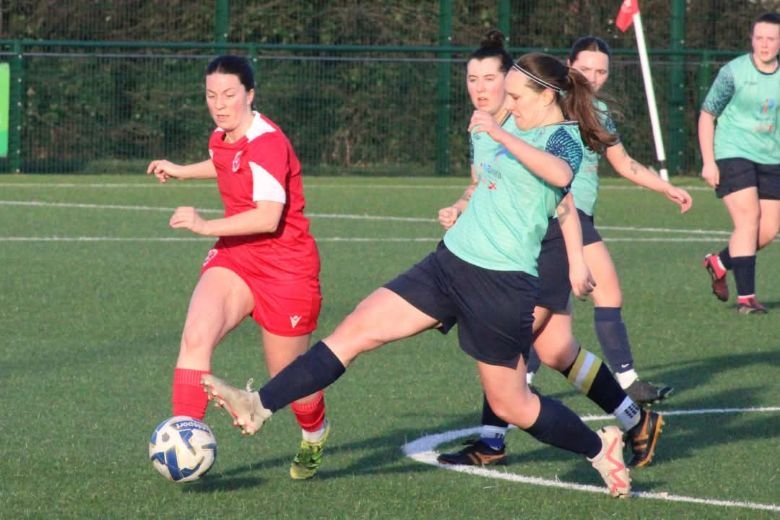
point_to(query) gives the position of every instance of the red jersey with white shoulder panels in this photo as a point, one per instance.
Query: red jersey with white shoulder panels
(262, 165)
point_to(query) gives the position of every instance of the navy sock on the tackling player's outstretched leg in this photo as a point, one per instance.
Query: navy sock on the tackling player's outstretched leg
(312, 371)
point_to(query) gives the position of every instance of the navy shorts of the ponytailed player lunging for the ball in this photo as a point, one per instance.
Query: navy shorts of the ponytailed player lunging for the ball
(493, 309)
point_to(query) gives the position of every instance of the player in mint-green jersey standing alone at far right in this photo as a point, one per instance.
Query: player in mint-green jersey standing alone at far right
(741, 159)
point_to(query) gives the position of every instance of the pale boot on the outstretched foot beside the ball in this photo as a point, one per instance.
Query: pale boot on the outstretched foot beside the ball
(248, 412)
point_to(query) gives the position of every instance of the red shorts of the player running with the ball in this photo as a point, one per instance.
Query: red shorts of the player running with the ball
(283, 307)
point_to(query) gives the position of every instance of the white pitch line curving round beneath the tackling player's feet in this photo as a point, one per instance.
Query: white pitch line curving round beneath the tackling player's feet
(423, 450)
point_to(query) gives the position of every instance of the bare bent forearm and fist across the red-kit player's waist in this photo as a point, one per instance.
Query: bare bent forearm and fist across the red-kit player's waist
(264, 218)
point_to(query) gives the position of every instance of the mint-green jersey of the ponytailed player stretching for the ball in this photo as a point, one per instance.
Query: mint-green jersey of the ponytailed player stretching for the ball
(507, 216)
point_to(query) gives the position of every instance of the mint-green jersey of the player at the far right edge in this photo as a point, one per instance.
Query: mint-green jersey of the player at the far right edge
(745, 102)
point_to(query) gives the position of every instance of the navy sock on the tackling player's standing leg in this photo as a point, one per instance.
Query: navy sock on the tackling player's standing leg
(560, 427)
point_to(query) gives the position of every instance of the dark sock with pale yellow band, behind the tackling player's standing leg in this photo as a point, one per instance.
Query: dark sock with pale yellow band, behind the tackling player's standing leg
(589, 375)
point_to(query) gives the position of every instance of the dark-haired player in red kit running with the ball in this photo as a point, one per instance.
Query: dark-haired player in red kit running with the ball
(265, 262)
